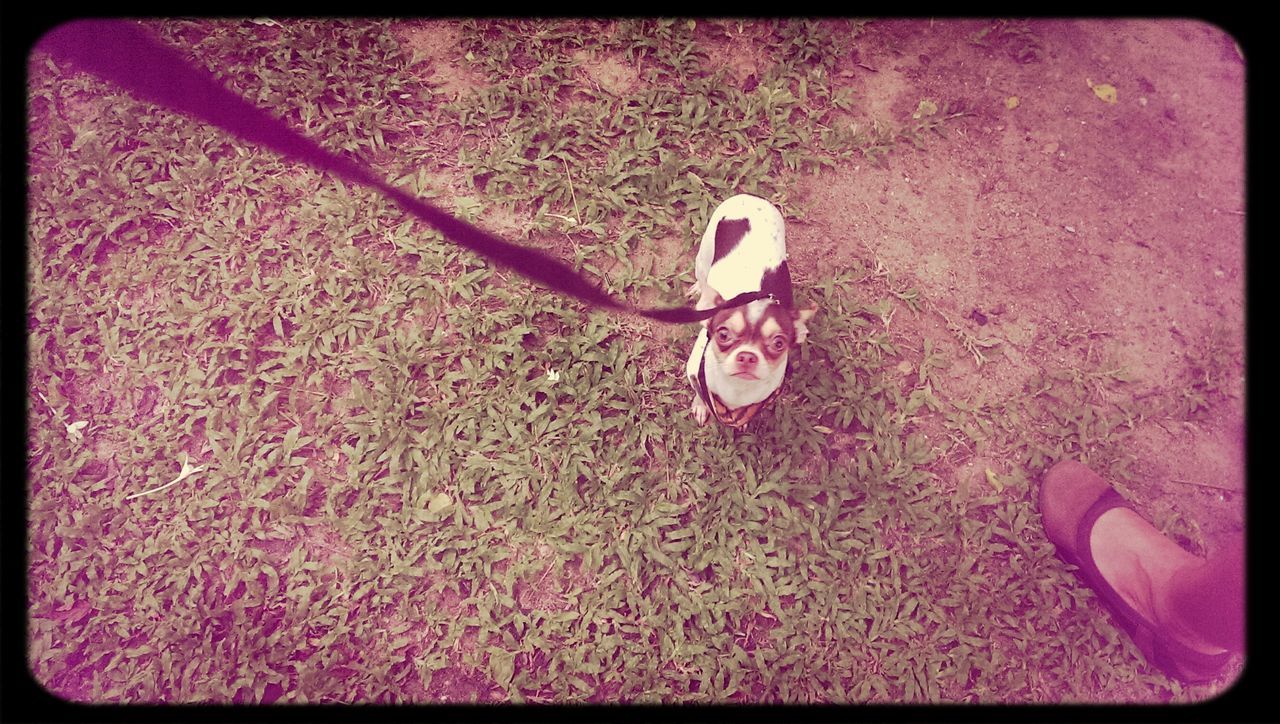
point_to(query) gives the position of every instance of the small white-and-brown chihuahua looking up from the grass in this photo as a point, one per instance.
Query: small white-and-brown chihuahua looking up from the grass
(740, 359)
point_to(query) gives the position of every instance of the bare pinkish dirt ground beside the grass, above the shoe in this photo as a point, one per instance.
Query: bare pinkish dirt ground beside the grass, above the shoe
(1068, 216)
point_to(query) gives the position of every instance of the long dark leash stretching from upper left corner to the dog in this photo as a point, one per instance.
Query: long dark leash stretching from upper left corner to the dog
(126, 54)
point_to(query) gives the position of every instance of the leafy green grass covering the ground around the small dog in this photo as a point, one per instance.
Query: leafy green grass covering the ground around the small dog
(424, 479)
